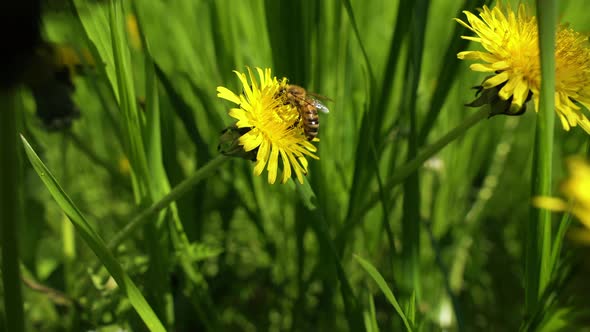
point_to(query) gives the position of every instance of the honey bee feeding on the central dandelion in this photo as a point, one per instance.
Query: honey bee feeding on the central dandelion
(308, 106)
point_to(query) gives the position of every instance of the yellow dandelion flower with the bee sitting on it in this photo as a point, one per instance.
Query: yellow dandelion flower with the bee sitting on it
(268, 126)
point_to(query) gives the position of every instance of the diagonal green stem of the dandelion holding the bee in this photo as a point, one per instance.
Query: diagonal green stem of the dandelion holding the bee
(163, 203)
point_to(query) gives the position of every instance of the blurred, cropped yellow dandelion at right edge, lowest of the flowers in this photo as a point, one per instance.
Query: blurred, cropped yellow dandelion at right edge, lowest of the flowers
(576, 189)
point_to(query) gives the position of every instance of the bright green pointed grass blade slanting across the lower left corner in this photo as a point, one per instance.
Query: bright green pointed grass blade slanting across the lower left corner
(93, 240)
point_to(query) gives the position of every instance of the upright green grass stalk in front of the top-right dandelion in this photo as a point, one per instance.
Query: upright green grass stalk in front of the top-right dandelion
(538, 260)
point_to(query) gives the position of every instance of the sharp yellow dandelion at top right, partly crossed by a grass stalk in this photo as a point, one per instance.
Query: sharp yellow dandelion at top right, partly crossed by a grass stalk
(511, 43)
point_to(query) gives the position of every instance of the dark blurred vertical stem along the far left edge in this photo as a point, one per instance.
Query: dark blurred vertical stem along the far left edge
(10, 212)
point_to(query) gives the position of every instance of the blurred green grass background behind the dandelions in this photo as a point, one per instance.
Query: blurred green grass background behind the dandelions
(262, 260)
